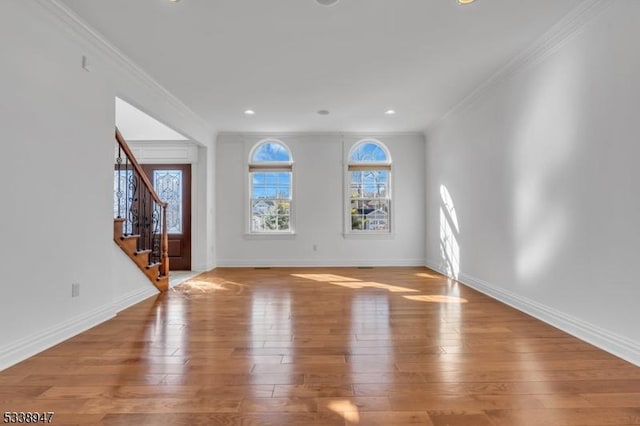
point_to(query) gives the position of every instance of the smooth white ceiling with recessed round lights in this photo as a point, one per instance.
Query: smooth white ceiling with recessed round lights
(287, 59)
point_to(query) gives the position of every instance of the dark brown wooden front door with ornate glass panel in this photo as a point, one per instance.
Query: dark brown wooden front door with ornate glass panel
(172, 182)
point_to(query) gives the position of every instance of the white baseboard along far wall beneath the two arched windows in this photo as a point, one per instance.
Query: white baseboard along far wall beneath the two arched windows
(275, 263)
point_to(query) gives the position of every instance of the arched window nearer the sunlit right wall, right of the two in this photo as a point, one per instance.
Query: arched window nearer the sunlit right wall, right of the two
(369, 188)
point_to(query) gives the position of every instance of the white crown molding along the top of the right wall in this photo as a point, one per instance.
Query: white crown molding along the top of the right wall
(546, 45)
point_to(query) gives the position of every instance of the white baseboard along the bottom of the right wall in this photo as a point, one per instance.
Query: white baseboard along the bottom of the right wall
(617, 345)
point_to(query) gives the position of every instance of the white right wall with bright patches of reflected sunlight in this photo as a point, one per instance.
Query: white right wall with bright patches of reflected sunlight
(542, 169)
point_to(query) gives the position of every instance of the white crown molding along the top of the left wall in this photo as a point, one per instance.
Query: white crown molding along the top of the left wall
(74, 25)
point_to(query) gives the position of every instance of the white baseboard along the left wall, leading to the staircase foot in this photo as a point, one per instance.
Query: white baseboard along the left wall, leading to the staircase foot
(31, 345)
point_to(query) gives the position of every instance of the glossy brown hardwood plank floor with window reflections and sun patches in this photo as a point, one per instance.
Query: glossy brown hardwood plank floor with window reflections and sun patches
(324, 346)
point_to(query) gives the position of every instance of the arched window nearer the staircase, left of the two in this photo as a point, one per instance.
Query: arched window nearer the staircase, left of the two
(271, 180)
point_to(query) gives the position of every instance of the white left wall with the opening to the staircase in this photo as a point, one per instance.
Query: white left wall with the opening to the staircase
(56, 220)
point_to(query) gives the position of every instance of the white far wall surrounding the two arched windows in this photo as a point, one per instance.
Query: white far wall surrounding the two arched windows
(319, 195)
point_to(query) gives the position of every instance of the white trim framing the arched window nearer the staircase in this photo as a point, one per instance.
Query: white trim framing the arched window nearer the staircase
(250, 148)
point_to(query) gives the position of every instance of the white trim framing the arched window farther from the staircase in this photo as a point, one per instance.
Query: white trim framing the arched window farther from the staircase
(348, 233)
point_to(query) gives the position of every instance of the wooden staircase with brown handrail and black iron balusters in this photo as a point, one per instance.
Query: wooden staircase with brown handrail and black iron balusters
(139, 225)
